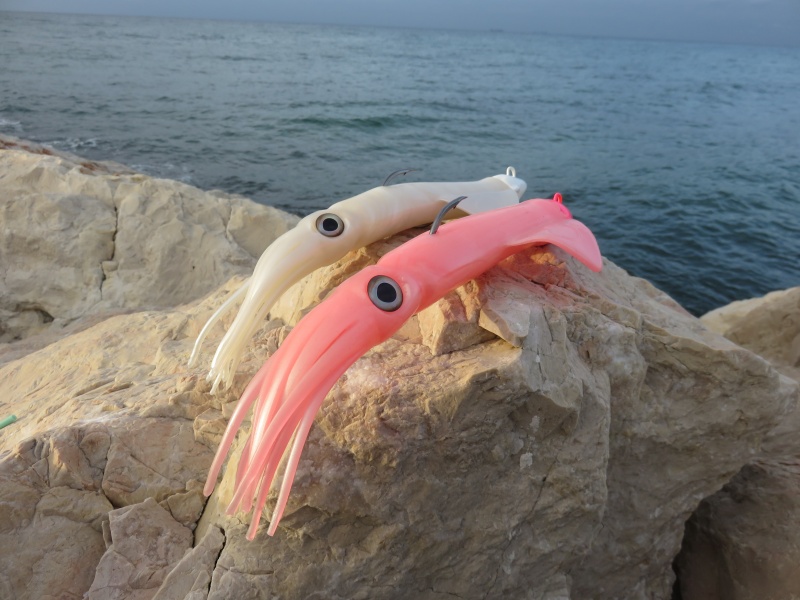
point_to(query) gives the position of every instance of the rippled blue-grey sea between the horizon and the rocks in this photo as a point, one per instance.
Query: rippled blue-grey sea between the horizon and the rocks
(683, 158)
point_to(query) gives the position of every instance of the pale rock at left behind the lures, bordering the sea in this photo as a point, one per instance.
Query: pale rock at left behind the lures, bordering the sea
(82, 237)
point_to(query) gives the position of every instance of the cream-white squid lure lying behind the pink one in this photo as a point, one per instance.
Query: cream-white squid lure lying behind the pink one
(366, 218)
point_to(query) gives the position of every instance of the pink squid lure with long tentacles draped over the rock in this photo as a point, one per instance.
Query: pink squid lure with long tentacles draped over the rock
(289, 389)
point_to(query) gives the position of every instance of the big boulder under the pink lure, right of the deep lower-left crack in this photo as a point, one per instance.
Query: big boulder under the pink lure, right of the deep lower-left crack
(600, 406)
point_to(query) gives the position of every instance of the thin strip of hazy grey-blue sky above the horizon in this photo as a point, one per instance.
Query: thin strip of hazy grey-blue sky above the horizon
(764, 22)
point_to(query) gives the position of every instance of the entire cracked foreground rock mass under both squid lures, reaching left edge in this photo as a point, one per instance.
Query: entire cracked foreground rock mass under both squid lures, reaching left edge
(541, 432)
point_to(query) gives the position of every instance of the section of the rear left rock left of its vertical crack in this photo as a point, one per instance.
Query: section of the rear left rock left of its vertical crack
(48, 272)
